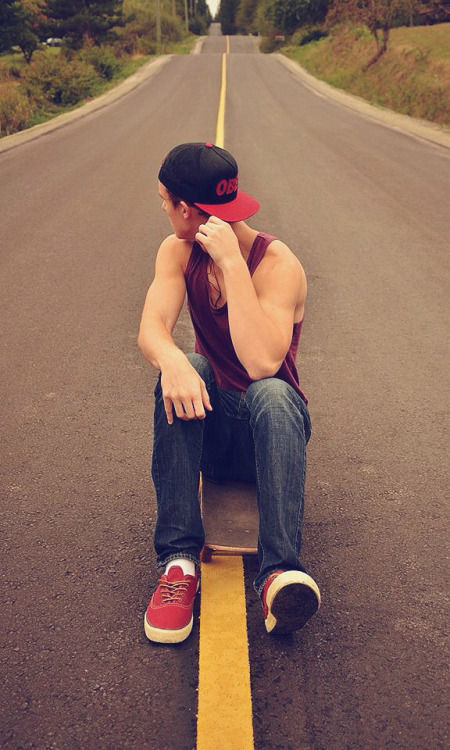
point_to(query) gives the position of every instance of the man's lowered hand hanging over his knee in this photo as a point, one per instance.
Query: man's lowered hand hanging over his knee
(184, 390)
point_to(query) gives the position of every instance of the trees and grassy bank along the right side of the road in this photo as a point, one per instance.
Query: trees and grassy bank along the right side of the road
(394, 53)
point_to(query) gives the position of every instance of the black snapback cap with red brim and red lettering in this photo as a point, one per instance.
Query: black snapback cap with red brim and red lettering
(207, 176)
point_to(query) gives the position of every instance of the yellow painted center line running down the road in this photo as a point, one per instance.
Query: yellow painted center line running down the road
(224, 717)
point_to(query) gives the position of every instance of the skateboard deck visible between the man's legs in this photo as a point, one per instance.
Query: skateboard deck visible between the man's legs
(230, 518)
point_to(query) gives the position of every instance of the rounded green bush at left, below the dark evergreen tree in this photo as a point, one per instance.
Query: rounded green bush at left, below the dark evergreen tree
(59, 81)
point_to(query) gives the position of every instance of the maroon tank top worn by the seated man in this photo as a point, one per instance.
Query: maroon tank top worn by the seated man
(212, 331)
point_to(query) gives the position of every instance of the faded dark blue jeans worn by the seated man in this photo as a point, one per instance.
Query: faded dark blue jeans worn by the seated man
(259, 435)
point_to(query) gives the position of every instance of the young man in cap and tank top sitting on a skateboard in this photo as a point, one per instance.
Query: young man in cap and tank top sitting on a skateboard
(234, 409)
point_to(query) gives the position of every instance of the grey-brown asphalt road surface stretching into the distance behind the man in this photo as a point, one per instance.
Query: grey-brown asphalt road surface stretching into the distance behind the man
(366, 209)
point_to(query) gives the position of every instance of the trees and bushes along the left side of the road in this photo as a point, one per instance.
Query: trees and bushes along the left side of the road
(56, 55)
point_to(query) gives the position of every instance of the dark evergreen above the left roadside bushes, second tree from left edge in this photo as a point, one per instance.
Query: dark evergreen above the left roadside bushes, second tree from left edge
(80, 20)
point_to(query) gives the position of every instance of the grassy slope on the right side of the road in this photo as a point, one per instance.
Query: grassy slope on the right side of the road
(412, 77)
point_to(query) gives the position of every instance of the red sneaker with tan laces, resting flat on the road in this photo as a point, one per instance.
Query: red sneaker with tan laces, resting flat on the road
(169, 615)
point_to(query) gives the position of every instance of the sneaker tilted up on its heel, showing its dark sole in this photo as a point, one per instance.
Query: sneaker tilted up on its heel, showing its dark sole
(289, 599)
